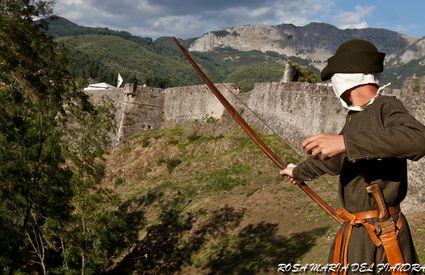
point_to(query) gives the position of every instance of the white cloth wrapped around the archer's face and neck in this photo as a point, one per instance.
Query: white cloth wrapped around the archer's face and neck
(342, 82)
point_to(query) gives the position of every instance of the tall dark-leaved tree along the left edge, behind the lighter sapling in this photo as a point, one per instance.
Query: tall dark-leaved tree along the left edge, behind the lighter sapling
(34, 89)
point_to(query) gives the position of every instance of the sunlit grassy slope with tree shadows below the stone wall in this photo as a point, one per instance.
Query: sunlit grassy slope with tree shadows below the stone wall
(214, 203)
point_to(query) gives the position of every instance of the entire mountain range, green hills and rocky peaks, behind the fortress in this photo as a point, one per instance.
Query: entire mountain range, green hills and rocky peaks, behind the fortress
(241, 54)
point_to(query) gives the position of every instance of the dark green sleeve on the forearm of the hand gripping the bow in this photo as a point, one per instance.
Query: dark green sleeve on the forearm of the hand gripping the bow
(312, 168)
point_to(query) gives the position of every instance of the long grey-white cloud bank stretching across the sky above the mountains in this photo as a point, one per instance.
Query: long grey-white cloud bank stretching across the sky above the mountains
(188, 18)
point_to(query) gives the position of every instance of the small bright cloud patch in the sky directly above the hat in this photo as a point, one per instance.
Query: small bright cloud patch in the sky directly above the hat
(353, 19)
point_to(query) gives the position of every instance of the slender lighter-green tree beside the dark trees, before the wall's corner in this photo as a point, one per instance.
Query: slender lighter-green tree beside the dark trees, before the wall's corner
(87, 138)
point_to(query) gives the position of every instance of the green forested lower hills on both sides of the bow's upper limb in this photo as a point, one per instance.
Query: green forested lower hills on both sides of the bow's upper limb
(100, 53)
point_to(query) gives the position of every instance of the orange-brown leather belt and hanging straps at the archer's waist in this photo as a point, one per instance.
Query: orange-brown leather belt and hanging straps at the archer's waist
(387, 238)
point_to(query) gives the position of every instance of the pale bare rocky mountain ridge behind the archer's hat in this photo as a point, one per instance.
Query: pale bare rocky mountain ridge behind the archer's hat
(315, 42)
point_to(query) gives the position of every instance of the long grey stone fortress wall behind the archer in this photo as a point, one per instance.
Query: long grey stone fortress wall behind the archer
(293, 110)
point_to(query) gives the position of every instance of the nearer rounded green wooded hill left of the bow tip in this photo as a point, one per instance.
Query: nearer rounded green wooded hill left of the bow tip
(130, 60)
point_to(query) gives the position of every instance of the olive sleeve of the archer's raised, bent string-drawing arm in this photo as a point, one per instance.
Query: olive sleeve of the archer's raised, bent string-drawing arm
(401, 136)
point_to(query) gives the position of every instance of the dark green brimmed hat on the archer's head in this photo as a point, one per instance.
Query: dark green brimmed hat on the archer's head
(354, 56)
